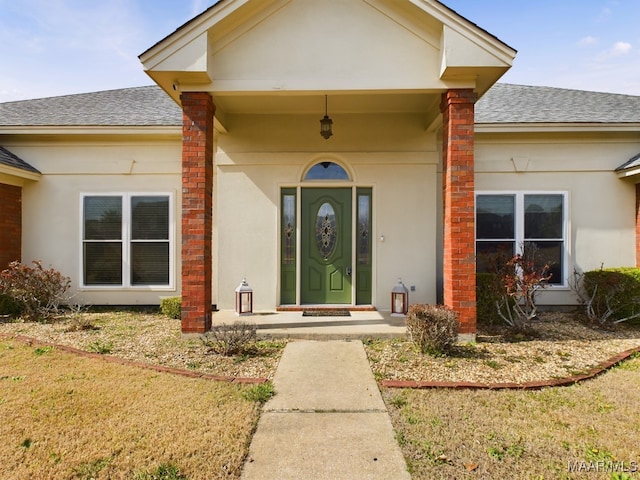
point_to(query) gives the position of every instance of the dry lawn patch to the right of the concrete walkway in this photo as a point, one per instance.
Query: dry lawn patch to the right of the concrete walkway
(511, 434)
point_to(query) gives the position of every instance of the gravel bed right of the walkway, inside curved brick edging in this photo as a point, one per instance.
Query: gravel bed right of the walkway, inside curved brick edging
(563, 347)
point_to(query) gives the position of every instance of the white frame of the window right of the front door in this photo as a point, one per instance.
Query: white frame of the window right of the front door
(519, 224)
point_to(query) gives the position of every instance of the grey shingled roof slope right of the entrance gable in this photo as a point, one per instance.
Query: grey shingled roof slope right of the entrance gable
(508, 103)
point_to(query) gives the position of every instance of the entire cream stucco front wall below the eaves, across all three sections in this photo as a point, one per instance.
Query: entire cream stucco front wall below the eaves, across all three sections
(393, 154)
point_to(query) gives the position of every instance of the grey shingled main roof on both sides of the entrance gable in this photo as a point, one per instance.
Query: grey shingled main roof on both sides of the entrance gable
(150, 106)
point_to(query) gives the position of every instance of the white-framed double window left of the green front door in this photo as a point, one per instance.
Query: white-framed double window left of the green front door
(127, 240)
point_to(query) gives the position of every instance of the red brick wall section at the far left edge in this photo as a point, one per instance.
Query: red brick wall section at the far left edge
(10, 224)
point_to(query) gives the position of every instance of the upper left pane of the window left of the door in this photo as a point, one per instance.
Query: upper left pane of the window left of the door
(102, 218)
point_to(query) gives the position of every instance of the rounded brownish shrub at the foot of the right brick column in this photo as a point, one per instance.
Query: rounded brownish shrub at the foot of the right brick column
(433, 328)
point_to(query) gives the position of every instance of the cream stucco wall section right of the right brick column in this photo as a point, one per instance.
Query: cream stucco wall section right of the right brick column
(601, 207)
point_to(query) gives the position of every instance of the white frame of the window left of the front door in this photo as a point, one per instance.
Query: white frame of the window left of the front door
(127, 241)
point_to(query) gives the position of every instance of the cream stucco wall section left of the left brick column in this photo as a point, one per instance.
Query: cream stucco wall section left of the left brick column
(52, 206)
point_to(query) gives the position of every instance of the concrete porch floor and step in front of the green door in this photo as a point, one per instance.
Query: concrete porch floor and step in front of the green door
(359, 325)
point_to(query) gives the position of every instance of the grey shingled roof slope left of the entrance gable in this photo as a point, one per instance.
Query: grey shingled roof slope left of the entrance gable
(139, 106)
